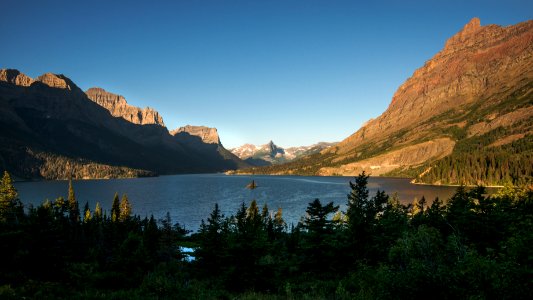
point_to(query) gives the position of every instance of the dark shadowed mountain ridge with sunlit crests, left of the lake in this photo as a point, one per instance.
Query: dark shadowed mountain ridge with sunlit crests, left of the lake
(50, 128)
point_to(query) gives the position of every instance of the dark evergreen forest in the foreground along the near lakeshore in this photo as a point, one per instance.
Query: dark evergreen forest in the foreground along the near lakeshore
(471, 246)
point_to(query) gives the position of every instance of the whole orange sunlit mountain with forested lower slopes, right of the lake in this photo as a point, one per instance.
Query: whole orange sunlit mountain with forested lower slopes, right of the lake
(466, 116)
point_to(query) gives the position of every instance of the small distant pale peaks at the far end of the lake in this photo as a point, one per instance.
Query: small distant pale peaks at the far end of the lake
(271, 154)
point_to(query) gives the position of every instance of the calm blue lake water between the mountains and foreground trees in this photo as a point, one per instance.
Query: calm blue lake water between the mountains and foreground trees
(190, 198)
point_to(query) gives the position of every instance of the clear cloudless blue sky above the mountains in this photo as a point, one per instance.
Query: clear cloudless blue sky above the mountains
(296, 72)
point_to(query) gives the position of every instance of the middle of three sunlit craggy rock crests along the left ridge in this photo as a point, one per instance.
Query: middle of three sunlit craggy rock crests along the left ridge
(118, 107)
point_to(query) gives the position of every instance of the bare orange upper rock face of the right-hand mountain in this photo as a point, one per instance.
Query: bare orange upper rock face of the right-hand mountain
(483, 64)
